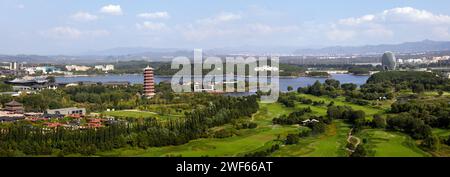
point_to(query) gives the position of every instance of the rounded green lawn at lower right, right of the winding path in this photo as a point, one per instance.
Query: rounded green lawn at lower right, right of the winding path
(391, 144)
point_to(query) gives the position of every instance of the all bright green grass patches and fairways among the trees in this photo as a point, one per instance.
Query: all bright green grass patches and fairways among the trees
(332, 143)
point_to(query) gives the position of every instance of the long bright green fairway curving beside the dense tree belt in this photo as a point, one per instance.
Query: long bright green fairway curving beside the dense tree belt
(248, 140)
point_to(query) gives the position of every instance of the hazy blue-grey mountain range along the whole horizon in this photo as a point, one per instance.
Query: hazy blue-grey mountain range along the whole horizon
(166, 54)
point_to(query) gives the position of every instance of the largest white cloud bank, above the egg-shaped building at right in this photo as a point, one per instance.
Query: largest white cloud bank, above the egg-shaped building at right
(398, 23)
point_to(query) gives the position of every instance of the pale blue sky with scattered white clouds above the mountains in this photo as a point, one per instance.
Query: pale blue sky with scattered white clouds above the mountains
(51, 27)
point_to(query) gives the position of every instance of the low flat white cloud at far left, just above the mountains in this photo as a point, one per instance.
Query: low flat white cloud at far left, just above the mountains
(65, 32)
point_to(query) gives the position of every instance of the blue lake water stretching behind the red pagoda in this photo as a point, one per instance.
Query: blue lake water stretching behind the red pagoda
(284, 82)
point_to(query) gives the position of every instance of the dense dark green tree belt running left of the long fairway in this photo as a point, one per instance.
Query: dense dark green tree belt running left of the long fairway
(22, 139)
